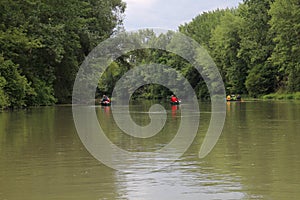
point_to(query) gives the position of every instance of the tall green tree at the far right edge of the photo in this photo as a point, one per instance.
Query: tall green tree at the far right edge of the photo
(285, 26)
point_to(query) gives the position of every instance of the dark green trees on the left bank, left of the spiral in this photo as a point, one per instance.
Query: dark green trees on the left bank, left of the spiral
(47, 41)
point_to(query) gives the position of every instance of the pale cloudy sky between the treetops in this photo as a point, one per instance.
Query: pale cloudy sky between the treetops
(168, 14)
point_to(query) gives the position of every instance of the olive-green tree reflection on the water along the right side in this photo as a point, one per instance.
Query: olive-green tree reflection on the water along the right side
(260, 146)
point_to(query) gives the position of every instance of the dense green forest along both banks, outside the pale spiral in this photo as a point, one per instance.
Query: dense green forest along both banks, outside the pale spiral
(255, 46)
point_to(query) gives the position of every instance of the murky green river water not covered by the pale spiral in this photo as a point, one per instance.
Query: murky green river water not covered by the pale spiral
(256, 157)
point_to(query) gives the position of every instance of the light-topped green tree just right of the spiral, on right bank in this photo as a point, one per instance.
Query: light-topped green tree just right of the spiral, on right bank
(225, 44)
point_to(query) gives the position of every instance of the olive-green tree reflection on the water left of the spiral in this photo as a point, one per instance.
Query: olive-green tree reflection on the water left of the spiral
(40, 151)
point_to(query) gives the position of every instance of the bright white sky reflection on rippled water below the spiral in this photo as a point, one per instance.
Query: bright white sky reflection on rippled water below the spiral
(180, 182)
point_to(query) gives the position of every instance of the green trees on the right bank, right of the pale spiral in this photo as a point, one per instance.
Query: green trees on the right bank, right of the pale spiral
(256, 46)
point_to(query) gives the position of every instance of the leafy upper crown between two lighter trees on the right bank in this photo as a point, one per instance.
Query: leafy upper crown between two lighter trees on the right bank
(256, 43)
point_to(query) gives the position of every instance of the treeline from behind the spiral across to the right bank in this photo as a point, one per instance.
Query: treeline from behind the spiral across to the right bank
(256, 47)
